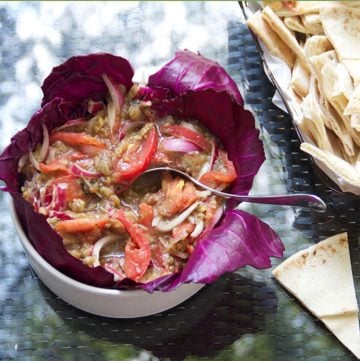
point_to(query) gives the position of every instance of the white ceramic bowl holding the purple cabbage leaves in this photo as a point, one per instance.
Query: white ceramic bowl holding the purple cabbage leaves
(96, 300)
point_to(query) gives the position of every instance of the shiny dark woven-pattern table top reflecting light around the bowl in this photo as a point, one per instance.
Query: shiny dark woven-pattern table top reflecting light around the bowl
(243, 316)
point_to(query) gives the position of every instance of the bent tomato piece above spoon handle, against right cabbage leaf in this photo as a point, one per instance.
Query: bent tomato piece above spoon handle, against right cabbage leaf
(225, 175)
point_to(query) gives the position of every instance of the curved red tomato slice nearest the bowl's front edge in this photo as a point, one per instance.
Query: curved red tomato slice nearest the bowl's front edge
(137, 250)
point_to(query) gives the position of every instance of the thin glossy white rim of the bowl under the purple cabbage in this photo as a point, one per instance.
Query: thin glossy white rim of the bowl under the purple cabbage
(56, 273)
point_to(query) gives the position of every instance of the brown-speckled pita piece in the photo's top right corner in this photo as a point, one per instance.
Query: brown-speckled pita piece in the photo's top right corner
(342, 27)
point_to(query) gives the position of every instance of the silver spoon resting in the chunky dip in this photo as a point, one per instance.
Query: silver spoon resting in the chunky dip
(307, 201)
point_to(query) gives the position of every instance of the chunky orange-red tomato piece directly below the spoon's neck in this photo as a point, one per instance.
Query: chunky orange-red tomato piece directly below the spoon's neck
(178, 195)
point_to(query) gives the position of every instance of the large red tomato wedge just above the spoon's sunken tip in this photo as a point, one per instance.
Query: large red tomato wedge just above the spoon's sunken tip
(136, 159)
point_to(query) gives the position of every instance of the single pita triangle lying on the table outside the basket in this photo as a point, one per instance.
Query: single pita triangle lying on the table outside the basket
(320, 277)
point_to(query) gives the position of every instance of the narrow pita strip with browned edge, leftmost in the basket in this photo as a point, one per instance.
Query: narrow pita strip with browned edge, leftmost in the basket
(271, 40)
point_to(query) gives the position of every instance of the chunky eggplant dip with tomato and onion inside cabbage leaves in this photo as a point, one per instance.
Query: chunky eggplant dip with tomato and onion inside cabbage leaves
(84, 178)
